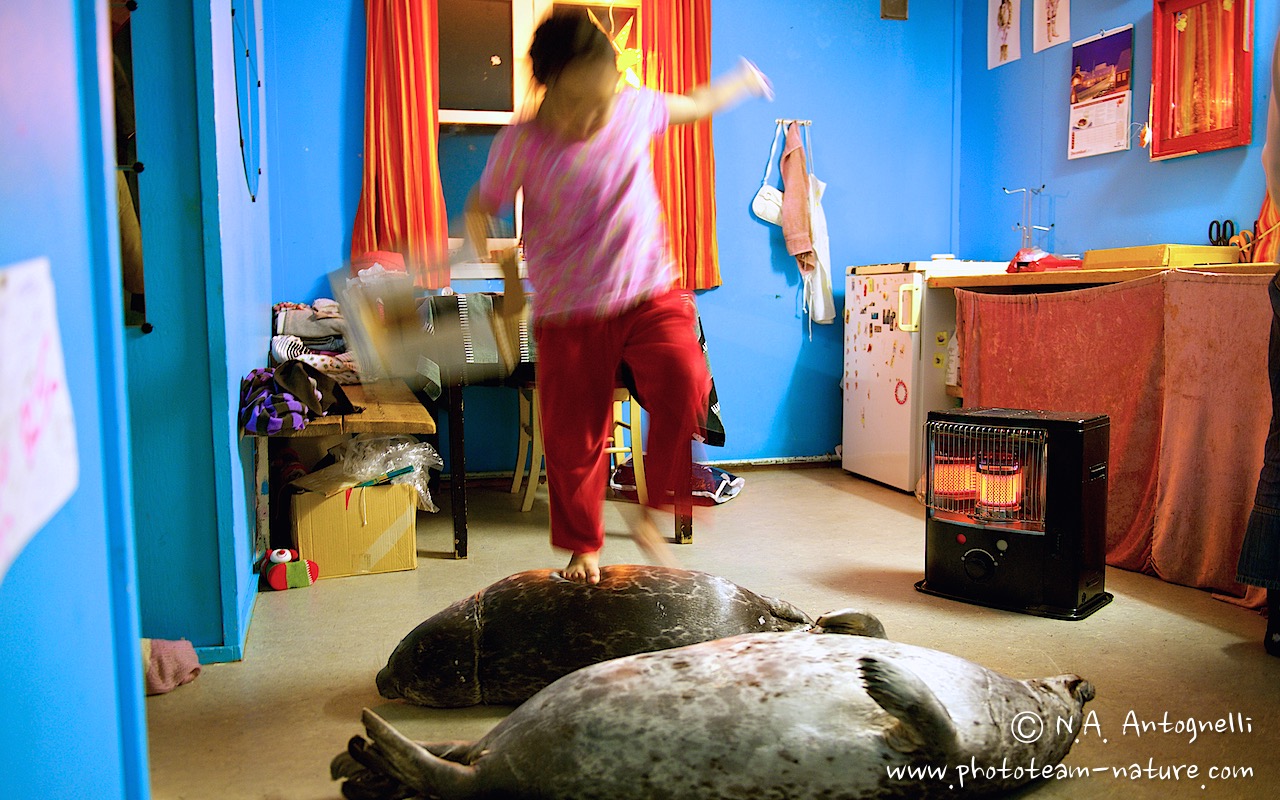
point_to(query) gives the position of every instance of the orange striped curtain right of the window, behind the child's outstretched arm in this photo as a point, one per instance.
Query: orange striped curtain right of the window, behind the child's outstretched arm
(676, 35)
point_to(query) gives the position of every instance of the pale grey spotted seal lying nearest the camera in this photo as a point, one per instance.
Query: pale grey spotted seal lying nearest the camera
(793, 716)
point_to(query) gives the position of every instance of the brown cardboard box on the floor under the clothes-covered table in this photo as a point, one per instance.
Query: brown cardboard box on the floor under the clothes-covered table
(355, 531)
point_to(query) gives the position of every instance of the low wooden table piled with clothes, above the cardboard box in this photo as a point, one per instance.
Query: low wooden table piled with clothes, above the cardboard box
(390, 408)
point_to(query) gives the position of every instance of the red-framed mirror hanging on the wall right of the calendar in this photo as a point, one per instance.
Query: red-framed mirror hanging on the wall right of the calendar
(1203, 76)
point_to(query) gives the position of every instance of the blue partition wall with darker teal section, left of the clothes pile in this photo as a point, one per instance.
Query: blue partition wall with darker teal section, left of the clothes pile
(208, 267)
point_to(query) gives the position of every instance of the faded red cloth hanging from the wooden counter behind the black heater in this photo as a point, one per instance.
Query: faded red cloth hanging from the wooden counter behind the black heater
(1178, 362)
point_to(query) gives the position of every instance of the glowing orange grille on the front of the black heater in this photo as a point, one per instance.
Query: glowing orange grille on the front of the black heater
(988, 474)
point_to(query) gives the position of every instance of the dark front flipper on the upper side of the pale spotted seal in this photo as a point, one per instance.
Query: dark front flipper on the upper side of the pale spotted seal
(922, 723)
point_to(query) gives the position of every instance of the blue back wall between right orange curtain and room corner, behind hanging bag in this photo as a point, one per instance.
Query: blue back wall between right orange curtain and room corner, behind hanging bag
(880, 98)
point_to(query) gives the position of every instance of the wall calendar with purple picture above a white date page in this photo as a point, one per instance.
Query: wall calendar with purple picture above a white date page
(1101, 94)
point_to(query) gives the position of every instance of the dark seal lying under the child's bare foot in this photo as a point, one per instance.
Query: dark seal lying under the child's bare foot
(514, 638)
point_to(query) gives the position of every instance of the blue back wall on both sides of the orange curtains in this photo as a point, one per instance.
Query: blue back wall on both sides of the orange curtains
(883, 103)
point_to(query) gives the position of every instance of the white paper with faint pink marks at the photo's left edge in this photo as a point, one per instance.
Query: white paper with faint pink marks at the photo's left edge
(39, 461)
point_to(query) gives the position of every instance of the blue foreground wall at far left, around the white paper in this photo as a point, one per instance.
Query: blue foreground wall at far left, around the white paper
(70, 661)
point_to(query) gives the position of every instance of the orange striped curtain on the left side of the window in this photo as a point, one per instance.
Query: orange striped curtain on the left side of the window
(401, 203)
